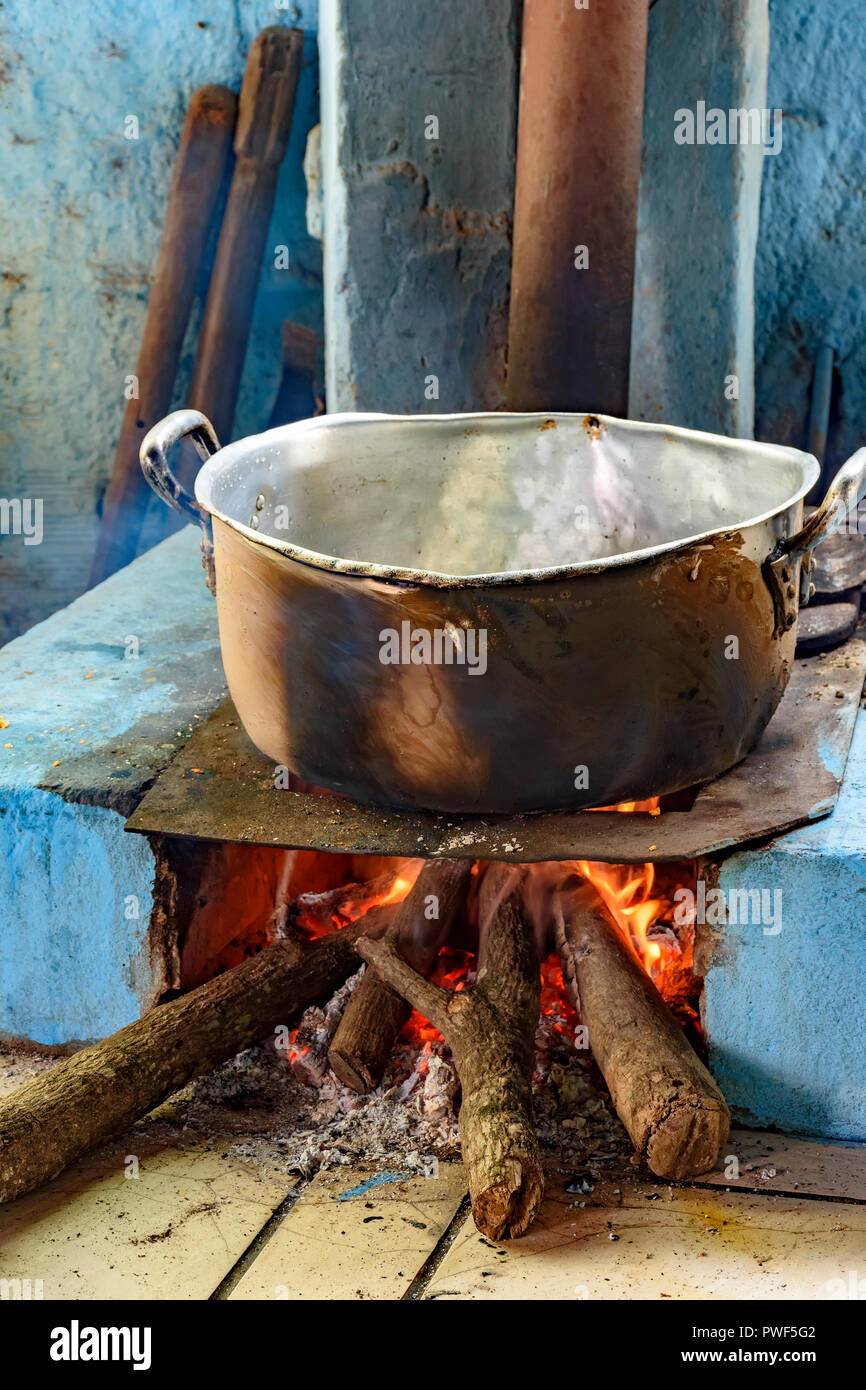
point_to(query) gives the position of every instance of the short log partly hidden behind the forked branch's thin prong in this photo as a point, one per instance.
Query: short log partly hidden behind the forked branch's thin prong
(375, 1014)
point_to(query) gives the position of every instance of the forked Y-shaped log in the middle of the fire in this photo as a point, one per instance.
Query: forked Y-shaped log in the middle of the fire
(491, 1032)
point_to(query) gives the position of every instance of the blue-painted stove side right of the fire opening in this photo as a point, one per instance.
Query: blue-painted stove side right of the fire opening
(783, 1013)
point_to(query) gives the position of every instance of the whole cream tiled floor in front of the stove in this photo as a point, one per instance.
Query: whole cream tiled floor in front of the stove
(198, 1223)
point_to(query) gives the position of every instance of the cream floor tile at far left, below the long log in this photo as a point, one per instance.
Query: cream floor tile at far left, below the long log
(173, 1232)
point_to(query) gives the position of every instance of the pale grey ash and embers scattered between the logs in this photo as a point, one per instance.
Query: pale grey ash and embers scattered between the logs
(409, 1121)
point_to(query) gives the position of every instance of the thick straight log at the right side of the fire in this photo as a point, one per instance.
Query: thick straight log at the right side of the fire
(664, 1095)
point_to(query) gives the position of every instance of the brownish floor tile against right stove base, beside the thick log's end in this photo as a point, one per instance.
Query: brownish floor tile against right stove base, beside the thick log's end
(787, 1164)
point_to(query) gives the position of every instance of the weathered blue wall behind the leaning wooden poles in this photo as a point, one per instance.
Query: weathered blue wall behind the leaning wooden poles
(84, 213)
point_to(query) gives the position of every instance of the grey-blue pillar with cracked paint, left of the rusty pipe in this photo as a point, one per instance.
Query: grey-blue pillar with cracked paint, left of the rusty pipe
(418, 216)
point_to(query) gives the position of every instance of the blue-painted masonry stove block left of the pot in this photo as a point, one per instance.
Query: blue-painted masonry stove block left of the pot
(90, 719)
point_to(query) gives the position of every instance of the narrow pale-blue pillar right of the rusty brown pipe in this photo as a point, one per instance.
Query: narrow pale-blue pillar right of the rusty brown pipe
(693, 358)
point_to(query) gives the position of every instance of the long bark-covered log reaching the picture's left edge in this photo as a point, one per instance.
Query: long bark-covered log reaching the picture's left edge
(99, 1092)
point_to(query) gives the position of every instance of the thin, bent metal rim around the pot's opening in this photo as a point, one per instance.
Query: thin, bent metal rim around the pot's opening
(436, 579)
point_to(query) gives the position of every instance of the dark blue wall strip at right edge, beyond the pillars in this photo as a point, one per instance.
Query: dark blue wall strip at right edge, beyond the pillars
(811, 273)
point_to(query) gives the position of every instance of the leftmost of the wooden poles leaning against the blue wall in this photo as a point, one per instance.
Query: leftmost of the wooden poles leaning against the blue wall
(204, 155)
